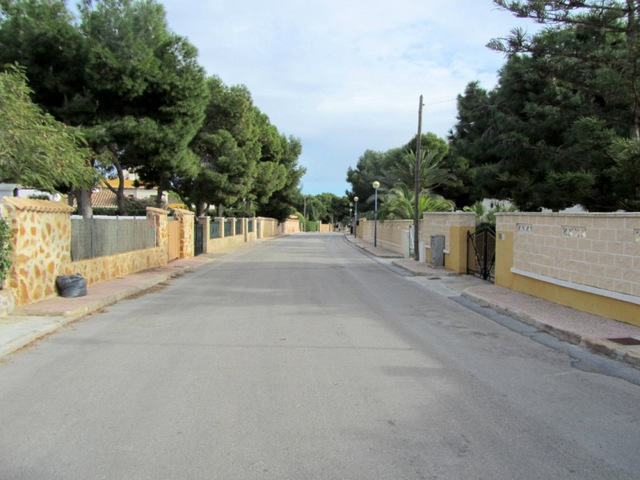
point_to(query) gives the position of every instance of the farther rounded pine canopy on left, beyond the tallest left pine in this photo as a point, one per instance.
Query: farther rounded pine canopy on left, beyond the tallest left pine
(246, 165)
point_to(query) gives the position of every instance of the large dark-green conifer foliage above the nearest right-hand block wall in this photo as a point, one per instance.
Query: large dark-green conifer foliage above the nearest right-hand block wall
(548, 135)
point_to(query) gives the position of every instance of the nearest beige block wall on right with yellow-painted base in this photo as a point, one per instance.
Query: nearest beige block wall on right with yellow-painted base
(586, 261)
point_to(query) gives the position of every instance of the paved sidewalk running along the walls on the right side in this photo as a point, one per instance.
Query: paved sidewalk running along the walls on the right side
(591, 331)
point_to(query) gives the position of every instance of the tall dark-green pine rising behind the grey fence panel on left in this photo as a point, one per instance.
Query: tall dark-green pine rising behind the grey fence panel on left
(146, 90)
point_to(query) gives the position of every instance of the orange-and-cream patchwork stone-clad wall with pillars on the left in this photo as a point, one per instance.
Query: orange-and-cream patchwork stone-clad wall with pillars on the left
(42, 250)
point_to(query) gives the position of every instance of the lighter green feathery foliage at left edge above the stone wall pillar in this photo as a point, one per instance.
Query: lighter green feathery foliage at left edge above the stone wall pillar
(35, 149)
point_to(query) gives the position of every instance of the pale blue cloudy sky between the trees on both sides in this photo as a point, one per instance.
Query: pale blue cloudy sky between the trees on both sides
(345, 76)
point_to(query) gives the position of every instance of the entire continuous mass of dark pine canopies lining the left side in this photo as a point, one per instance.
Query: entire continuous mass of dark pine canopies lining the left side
(136, 91)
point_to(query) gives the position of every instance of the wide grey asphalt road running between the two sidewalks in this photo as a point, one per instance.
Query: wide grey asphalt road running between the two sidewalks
(303, 358)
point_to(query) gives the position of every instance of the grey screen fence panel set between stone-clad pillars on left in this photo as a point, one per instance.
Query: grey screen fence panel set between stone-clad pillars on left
(99, 237)
